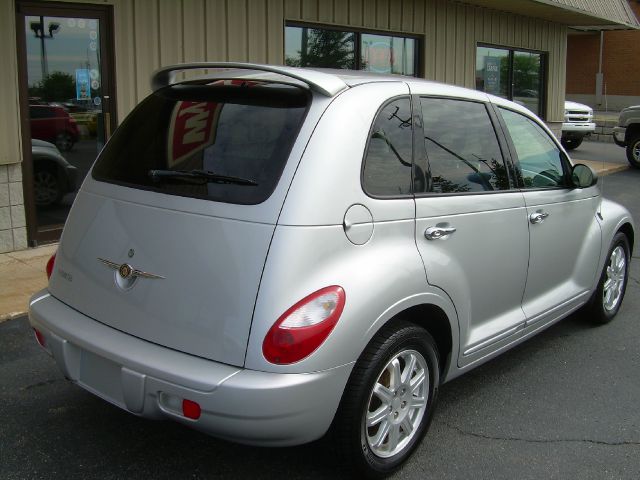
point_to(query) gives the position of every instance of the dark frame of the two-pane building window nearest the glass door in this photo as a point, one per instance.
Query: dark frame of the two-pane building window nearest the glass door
(418, 61)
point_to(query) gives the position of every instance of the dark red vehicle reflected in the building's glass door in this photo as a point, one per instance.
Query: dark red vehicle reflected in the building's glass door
(53, 124)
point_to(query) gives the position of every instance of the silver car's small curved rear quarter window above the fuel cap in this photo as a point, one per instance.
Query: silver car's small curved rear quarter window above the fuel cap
(387, 165)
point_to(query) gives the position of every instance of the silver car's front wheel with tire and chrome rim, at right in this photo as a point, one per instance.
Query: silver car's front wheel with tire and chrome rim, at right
(607, 298)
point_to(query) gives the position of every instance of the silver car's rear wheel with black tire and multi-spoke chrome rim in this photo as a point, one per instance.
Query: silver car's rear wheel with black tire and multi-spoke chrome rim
(398, 416)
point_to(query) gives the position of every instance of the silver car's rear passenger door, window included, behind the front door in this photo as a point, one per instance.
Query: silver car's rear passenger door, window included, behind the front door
(471, 223)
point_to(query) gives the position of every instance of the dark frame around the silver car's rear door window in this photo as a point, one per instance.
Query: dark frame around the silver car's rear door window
(500, 136)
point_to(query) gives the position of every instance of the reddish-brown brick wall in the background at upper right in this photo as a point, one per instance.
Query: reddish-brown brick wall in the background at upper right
(619, 62)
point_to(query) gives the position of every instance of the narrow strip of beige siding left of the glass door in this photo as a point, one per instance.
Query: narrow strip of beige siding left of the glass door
(9, 107)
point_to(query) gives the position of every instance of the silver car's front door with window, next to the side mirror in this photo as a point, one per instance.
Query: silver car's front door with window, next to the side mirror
(564, 234)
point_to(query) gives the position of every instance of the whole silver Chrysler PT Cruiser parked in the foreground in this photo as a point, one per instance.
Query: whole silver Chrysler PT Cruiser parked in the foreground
(267, 254)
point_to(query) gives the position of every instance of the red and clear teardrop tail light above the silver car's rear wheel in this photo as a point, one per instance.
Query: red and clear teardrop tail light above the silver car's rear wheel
(304, 327)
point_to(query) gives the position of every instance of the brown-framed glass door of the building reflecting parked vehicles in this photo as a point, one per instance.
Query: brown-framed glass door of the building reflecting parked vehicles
(66, 107)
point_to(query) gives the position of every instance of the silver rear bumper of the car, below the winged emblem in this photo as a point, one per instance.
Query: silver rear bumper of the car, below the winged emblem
(241, 405)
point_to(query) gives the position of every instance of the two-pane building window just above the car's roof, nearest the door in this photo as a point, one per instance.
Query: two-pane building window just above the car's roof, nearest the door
(331, 48)
